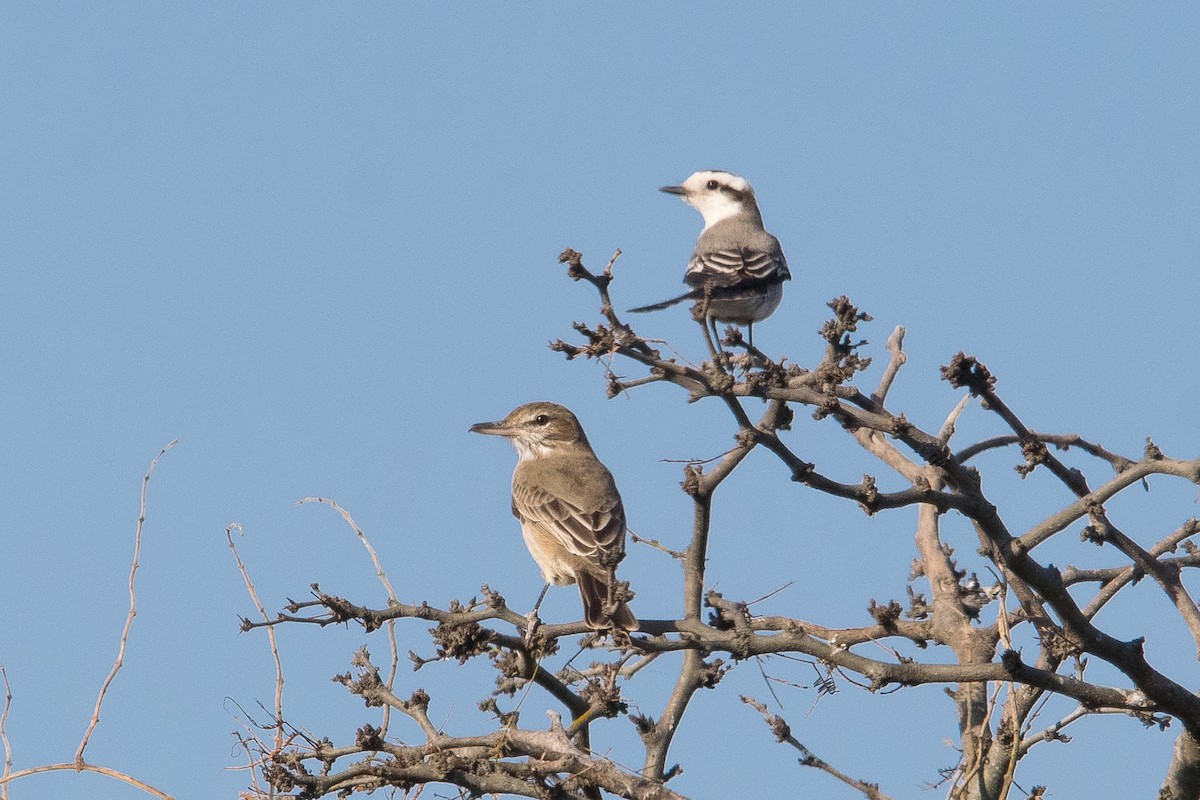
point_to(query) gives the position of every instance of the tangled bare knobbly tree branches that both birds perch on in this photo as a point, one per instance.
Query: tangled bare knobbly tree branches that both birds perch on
(999, 694)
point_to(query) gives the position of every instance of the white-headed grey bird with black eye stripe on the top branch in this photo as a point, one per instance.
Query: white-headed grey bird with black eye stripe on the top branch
(739, 268)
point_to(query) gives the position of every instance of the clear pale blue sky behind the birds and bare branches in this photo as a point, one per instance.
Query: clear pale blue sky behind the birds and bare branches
(317, 243)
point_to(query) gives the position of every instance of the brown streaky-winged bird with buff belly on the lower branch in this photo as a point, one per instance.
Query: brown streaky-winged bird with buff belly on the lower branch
(572, 516)
